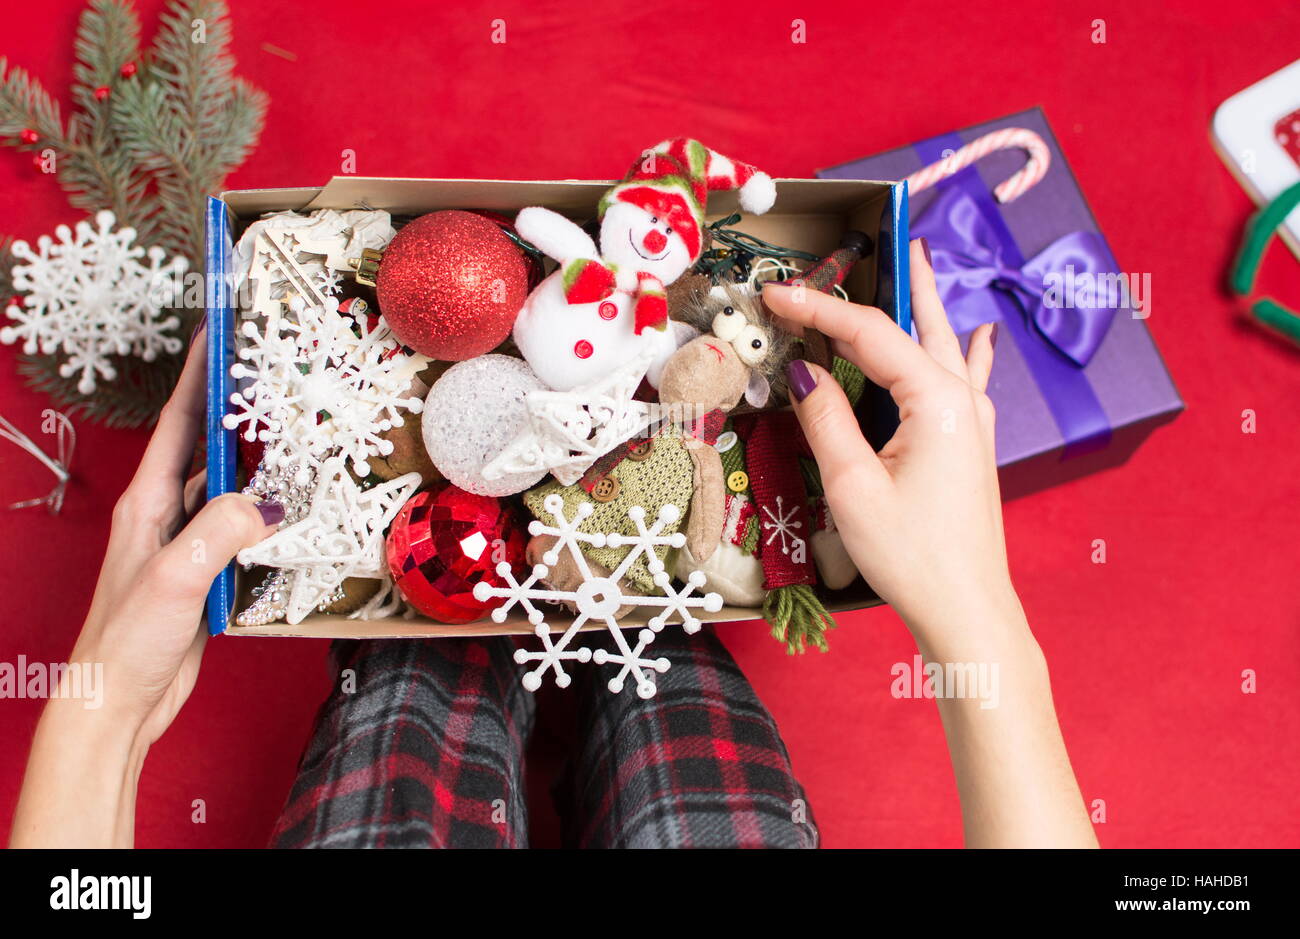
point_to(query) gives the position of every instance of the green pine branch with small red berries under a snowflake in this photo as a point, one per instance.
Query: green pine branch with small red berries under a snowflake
(151, 152)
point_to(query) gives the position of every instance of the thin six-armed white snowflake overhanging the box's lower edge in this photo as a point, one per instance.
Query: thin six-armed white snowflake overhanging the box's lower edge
(600, 599)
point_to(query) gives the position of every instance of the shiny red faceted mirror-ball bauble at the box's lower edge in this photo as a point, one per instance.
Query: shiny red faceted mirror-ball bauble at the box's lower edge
(447, 540)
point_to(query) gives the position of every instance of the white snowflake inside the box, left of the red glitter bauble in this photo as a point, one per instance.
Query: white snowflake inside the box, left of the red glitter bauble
(315, 388)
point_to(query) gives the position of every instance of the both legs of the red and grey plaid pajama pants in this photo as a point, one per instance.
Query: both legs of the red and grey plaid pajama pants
(422, 745)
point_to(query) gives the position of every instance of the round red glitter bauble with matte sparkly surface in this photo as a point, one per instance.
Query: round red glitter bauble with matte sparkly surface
(450, 285)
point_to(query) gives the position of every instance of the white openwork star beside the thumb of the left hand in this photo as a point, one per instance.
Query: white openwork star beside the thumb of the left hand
(341, 536)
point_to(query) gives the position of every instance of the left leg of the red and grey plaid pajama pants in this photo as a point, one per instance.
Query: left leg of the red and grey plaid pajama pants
(424, 752)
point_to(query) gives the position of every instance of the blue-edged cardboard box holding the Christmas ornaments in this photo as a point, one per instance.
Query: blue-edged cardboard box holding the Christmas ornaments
(809, 214)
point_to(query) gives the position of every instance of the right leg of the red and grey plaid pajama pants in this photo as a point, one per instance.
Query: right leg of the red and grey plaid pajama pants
(700, 765)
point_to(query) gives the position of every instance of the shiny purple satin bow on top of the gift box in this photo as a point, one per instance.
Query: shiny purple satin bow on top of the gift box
(970, 263)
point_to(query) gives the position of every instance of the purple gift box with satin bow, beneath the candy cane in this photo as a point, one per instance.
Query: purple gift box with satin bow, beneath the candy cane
(1077, 380)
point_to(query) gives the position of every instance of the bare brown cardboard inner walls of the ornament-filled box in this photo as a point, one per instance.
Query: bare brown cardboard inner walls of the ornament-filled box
(809, 215)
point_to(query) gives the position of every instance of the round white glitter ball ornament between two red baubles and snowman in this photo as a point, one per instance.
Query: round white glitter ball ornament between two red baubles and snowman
(471, 414)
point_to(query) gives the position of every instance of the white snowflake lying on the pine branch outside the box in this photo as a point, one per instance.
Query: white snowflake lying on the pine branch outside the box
(90, 297)
